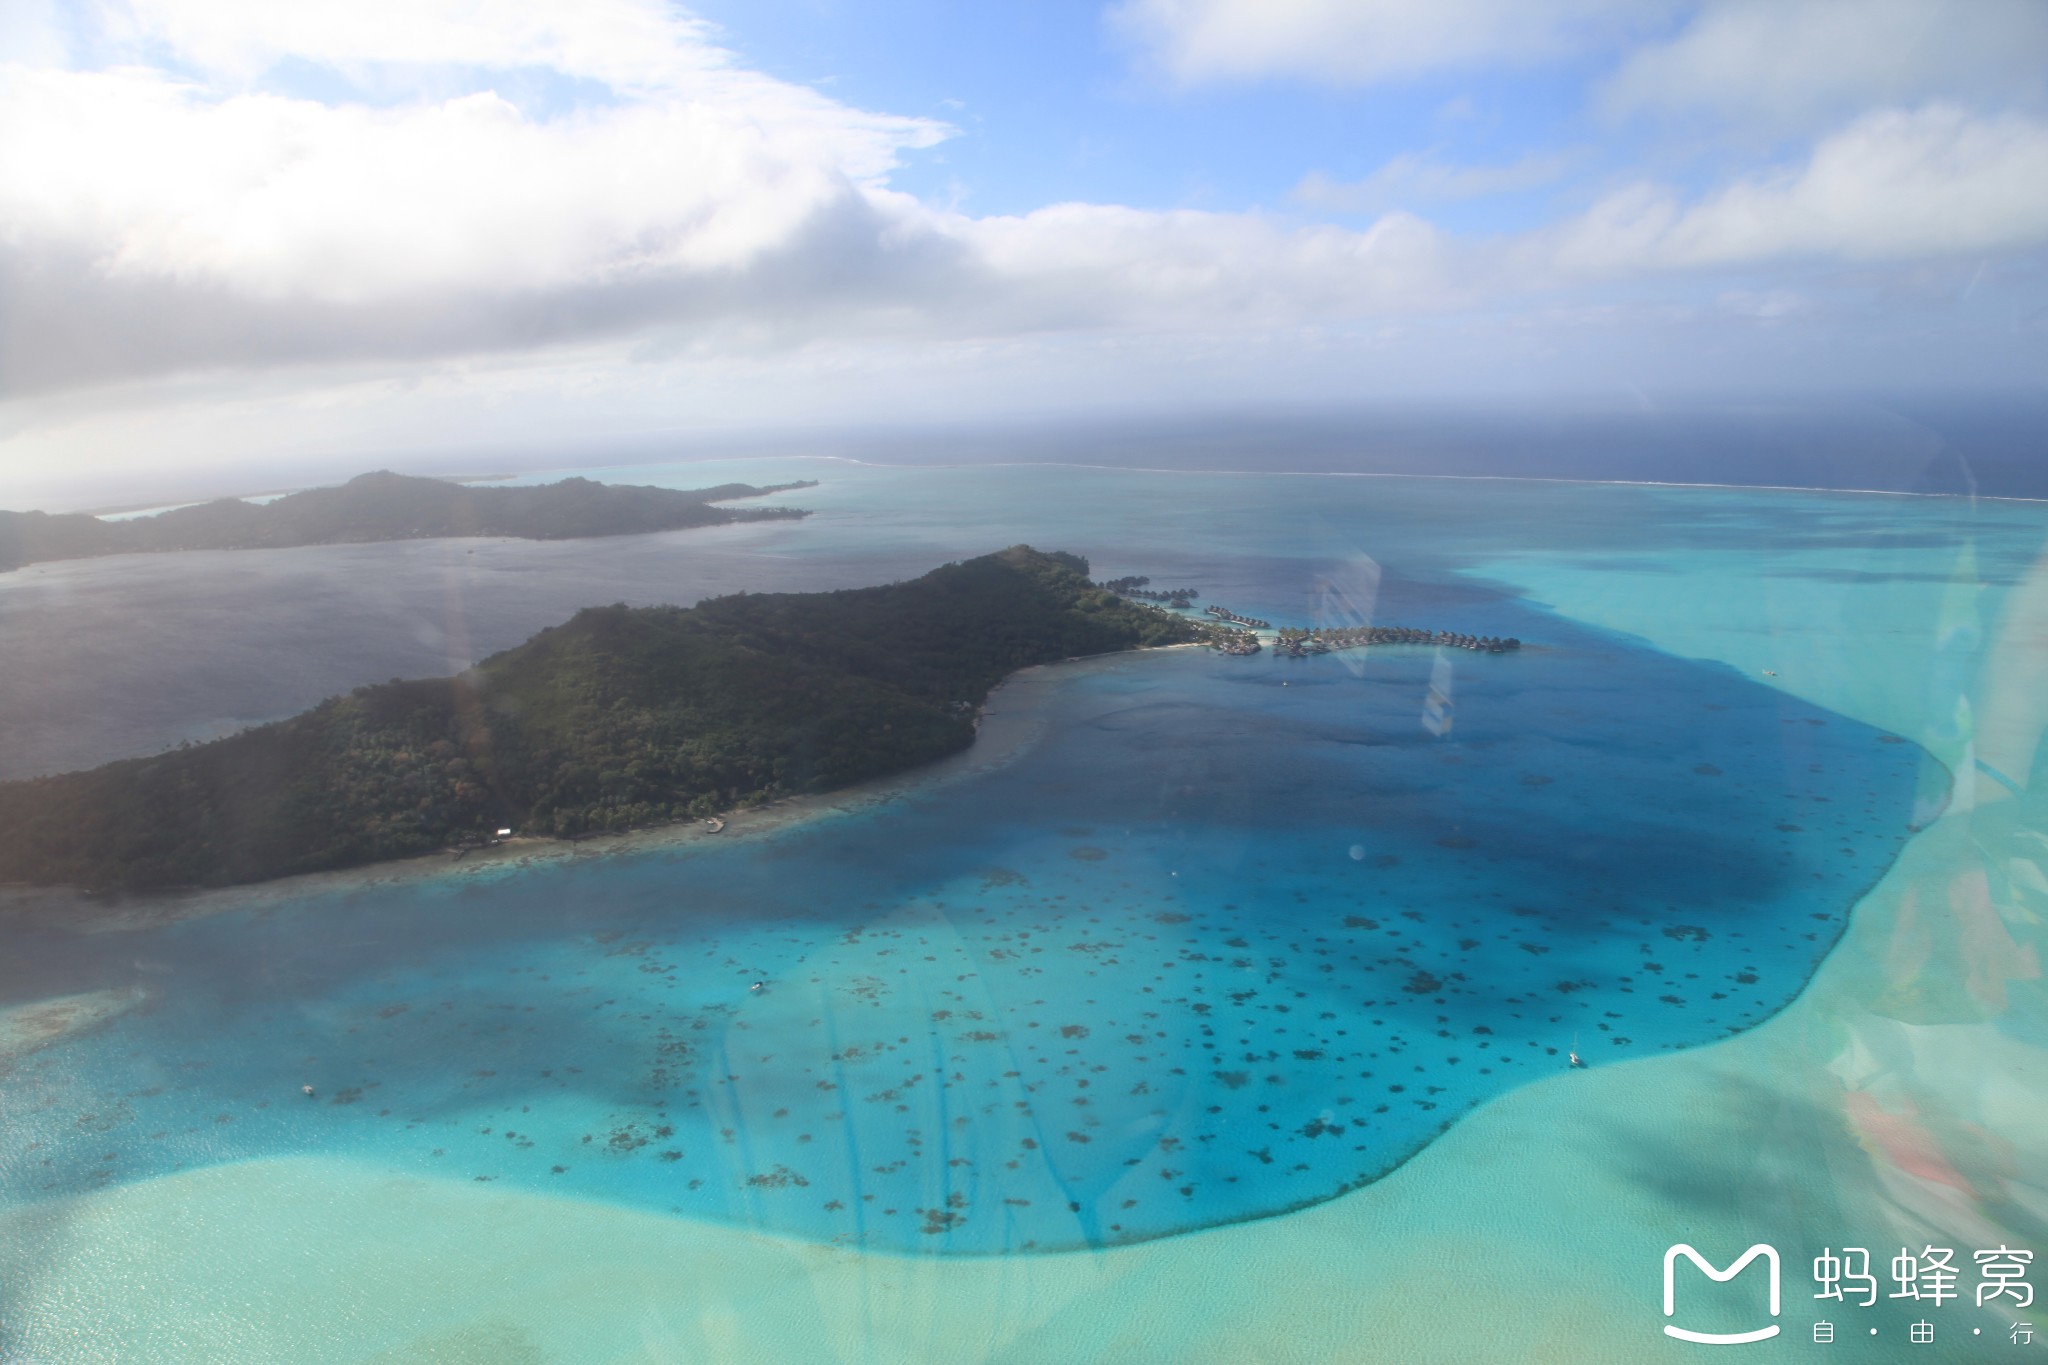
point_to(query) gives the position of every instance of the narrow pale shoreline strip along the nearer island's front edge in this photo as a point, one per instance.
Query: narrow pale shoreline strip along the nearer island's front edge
(1002, 734)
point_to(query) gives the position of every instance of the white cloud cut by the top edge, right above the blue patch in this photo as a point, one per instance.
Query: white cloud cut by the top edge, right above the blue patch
(1363, 42)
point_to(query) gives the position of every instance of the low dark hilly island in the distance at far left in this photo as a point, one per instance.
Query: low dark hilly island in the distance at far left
(386, 507)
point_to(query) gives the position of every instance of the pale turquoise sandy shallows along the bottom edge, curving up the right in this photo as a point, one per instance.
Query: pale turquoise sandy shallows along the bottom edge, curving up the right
(1891, 1104)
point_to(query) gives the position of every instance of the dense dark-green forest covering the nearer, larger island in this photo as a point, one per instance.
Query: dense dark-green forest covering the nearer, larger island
(620, 717)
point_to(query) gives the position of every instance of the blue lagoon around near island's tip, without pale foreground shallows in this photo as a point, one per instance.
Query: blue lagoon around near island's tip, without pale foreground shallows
(1230, 938)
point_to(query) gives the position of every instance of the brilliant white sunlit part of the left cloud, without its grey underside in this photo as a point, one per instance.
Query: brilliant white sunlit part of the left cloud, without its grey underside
(282, 197)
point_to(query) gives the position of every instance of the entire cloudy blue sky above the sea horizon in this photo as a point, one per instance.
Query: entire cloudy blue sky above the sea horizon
(239, 234)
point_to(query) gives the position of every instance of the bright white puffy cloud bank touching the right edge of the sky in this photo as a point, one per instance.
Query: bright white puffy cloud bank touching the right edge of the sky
(1893, 185)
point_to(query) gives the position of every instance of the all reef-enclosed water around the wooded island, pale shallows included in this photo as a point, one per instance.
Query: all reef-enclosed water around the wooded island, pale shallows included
(1230, 953)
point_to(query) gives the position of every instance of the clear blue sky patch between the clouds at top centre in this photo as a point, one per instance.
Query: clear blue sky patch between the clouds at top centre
(1052, 107)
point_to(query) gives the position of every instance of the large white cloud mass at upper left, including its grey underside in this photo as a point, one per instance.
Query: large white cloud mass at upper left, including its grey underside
(155, 220)
